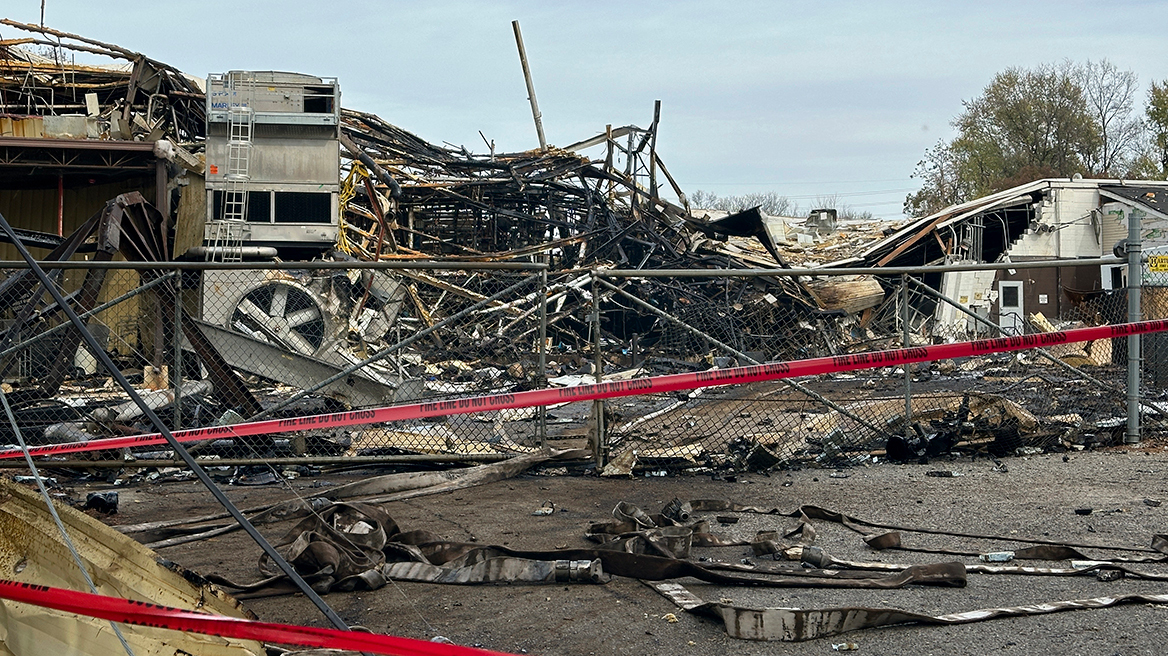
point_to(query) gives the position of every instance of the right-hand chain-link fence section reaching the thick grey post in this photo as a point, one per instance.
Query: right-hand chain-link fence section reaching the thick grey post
(1070, 397)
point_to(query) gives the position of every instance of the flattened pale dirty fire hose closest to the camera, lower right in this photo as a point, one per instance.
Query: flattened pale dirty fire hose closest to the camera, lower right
(797, 625)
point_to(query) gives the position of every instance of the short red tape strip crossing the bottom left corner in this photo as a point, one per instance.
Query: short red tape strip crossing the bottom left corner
(145, 615)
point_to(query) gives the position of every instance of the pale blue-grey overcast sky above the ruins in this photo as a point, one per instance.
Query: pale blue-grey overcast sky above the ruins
(802, 99)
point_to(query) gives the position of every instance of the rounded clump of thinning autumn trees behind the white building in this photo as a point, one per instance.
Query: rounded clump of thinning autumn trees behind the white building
(1049, 122)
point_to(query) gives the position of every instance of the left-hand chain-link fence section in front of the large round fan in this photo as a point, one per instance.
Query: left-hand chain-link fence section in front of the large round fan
(220, 346)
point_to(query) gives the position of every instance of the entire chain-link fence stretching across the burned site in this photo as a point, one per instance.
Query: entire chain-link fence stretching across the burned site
(215, 345)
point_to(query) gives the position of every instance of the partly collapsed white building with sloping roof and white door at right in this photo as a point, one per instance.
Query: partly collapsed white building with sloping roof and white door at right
(1047, 220)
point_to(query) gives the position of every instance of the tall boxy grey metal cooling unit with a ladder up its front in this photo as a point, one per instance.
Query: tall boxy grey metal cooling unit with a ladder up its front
(273, 163)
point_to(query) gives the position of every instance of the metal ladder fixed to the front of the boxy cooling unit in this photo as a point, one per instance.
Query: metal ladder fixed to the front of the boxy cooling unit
(227, 245)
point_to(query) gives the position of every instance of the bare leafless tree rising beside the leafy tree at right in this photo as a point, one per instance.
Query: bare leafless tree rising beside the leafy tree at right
(1110, 97)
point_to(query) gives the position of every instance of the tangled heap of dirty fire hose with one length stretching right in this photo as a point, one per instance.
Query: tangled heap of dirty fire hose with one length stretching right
(359, 547)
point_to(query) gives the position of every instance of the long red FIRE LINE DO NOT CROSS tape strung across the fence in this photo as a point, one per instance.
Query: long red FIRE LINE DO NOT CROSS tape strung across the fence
(658, 385)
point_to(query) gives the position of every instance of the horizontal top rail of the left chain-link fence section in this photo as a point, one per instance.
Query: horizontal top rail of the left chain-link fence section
(447, 266)
